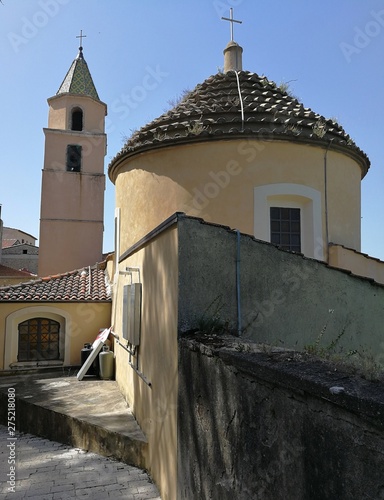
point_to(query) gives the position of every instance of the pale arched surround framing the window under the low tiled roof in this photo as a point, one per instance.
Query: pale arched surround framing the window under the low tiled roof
(12, 331)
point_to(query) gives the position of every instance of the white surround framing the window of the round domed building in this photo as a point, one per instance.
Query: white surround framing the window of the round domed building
(291, 196)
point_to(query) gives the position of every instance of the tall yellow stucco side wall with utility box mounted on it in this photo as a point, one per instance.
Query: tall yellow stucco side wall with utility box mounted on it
(154, 406)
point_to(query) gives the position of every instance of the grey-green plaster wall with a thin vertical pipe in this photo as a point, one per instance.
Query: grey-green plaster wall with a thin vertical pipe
(285, 299)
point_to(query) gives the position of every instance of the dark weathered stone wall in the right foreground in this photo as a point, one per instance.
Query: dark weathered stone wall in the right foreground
(266, 426)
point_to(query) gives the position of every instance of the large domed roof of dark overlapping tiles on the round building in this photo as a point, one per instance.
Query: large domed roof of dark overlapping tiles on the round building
(214, 111)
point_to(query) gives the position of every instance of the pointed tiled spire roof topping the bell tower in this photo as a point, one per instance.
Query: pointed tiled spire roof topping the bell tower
(78, 80)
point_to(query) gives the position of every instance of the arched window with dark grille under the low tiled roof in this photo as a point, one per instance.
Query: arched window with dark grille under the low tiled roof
(39, 340)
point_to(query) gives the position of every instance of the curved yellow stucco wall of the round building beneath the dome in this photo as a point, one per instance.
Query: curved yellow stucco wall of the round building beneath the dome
(216, 180)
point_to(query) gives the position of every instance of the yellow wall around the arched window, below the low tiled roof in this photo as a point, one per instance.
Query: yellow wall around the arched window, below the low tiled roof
(79, 323)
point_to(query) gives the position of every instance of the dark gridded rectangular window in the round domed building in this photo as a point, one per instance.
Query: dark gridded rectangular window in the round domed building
(285, 228)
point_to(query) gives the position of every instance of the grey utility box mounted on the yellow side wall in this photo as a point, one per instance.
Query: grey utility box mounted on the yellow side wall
(132, 313)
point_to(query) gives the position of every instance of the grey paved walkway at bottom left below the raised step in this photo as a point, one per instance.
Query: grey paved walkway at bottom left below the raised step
(47, 470)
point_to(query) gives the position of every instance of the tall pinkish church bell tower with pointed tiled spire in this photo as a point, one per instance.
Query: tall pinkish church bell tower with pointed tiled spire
(73, 179)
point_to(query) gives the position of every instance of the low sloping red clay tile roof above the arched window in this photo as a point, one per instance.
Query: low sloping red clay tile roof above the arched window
(88, 284)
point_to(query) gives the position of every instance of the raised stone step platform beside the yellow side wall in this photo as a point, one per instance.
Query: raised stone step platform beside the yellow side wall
(90, 414)
